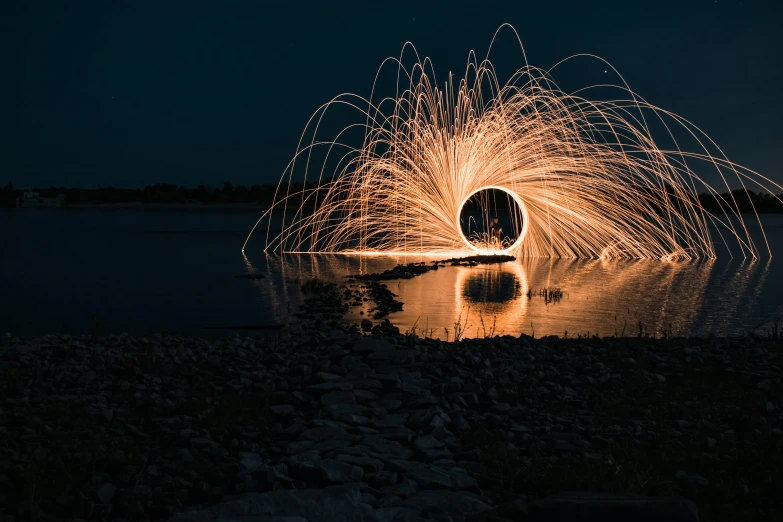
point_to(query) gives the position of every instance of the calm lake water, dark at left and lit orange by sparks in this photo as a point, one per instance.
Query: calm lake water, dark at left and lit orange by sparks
(142, 271)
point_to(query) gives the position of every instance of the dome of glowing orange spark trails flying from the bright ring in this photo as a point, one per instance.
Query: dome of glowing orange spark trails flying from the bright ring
(586, 177)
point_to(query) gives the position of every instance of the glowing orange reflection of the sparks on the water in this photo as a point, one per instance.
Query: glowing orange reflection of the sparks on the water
(600, 297)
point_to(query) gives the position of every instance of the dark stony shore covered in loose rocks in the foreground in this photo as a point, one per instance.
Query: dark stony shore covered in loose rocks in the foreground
(324, 423)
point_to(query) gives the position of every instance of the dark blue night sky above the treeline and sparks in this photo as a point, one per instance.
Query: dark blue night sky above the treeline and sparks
(128, 93)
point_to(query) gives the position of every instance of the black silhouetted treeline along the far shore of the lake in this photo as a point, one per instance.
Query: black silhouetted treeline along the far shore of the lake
(264, 195)
